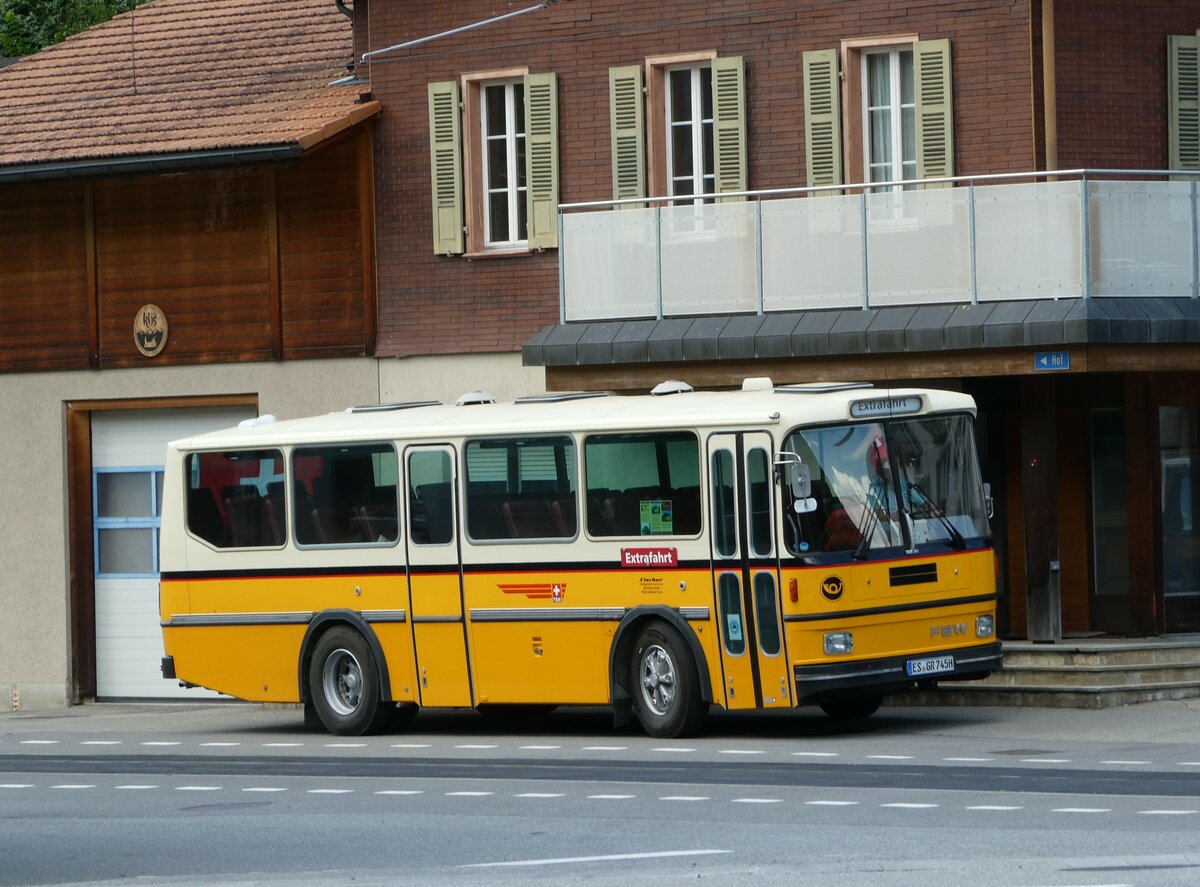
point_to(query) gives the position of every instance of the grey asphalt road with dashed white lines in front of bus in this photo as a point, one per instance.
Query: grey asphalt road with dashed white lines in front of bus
(241, 795)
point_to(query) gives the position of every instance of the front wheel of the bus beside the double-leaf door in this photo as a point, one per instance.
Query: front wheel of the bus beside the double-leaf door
(665, 686)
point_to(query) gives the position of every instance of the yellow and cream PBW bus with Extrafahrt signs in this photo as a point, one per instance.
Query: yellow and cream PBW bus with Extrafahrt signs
(765, 548)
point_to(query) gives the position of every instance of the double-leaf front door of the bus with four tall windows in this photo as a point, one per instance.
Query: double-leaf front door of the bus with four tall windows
(746, 571)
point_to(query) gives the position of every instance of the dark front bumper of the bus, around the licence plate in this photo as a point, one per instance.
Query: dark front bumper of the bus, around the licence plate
(826, 682)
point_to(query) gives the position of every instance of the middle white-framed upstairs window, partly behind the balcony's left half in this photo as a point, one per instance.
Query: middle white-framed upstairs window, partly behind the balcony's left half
(689, 133)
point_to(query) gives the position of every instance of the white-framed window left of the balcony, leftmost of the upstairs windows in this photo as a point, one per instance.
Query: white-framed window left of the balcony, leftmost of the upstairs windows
(503, 155)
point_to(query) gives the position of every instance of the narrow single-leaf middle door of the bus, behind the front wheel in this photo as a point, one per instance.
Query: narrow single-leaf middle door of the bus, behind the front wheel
(435, 578)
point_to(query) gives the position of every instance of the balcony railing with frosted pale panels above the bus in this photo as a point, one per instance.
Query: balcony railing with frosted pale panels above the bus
(1067, 235)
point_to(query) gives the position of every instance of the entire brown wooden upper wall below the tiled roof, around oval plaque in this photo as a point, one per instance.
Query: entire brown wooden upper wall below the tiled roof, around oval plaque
(251, 263)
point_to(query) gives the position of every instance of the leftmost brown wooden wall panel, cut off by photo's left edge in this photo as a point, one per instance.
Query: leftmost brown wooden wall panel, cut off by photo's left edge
(44, 278)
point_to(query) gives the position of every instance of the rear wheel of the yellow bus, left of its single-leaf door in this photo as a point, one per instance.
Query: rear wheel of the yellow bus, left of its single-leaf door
(344, 685)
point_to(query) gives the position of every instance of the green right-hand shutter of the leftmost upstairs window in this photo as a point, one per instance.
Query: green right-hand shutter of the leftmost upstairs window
(542, 159)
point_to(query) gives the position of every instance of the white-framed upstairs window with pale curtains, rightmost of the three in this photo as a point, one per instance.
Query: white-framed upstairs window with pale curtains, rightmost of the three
(890, 116)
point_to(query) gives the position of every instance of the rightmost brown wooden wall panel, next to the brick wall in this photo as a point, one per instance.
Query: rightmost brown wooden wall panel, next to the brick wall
(321, 255)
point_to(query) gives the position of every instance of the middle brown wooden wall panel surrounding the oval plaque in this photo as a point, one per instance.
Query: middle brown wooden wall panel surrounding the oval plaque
(194, 245)
